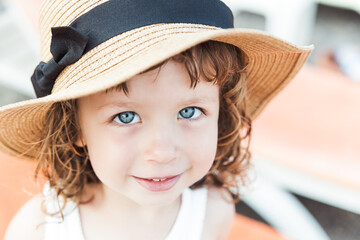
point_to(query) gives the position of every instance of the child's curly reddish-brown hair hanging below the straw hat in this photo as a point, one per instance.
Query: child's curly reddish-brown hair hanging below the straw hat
(67, 167)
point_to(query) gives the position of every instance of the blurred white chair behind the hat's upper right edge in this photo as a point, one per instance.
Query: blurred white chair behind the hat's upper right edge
(291, 20)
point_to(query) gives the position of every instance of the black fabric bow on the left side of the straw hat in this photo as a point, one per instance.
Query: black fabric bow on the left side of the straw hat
(67, 47)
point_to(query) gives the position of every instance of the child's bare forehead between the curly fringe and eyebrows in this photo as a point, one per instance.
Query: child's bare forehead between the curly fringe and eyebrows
(169, 83)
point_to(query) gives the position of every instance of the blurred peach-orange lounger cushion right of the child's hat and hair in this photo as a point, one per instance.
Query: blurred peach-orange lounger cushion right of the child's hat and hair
(314, 127)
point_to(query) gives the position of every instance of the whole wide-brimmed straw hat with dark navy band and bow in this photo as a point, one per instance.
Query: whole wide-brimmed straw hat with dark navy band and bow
(98, 44)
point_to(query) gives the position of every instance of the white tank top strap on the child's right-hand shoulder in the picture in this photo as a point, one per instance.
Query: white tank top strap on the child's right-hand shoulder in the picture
(190, 219)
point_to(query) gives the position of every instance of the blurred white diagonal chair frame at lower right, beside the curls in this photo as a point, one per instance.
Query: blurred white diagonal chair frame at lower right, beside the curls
(281, 209)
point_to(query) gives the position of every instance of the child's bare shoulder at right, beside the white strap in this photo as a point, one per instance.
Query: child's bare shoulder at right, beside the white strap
(219, 215)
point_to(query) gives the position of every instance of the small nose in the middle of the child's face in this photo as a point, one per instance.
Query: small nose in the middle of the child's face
(160, 143)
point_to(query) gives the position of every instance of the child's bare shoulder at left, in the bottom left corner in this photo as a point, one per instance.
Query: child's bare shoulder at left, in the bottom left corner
(27, 222)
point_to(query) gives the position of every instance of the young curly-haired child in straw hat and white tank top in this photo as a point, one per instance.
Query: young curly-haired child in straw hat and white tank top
(143, 117)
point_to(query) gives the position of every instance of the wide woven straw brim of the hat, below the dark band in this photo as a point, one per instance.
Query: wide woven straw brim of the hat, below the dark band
(272, 63)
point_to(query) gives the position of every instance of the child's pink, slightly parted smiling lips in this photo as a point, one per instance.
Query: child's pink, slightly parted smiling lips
(158, 184)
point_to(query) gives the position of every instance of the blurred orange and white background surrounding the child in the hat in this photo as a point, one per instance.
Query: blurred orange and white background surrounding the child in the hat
(306, 144)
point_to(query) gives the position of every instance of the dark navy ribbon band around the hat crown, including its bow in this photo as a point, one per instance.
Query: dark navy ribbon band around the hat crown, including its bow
(114, 17)
